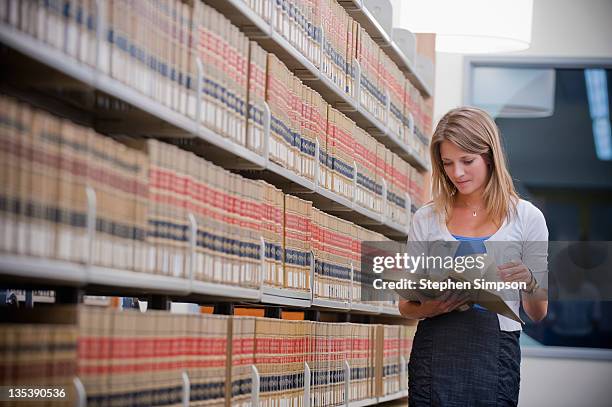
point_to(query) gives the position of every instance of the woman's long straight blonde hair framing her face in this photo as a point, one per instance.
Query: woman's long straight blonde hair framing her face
(474, 131)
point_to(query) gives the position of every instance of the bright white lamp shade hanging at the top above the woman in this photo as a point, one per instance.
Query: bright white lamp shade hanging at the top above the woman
(468, 26)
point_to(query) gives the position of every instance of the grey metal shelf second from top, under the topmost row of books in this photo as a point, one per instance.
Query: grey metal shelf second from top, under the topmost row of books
(256, 28)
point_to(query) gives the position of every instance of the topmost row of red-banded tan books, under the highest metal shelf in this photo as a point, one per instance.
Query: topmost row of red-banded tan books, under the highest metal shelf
(325, 34)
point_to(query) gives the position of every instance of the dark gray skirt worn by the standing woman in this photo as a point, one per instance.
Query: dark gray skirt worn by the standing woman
(463, 359)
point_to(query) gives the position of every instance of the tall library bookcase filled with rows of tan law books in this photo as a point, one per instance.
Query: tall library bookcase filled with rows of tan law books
(186, 188)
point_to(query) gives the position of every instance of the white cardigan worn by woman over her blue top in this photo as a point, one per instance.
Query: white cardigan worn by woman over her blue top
(524, 233)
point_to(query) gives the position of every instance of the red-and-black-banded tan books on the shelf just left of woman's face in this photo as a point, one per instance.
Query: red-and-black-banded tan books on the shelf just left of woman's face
(351, 162)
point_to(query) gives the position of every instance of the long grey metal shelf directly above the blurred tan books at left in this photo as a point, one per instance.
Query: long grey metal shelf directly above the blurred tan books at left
(219, 149)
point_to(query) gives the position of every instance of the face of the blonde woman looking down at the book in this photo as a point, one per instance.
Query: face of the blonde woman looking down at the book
(468, 172)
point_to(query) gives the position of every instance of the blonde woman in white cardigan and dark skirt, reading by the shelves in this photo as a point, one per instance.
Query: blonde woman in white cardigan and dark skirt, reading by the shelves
(472, 357)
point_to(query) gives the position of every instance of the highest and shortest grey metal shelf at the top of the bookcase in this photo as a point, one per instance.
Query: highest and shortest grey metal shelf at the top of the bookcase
(362, 15)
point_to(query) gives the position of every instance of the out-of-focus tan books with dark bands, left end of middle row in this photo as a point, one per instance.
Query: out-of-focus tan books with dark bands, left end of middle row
(47, 164)
